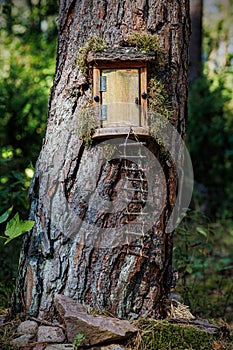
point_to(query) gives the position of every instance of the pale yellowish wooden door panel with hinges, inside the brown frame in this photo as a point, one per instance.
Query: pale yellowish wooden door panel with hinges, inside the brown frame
(120, 97)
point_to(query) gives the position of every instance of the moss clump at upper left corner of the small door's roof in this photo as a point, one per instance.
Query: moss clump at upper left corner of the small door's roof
(94, 43)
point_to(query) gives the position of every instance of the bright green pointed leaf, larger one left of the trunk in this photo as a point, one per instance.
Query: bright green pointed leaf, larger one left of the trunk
(16, 227)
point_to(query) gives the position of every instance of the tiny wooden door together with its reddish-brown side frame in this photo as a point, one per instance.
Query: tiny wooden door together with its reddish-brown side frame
(120, 91)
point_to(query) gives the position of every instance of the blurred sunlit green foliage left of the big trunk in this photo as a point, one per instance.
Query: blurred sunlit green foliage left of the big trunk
(28, 38)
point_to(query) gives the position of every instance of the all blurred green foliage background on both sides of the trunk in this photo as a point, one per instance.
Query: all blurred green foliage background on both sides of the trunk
(203, 243)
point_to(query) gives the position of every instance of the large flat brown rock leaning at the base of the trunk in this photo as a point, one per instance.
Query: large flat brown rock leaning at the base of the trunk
(96, 329)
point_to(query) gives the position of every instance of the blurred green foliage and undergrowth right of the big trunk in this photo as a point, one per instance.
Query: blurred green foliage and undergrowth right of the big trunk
(203, 242)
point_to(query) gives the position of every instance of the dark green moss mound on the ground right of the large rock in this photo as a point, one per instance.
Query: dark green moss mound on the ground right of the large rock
(163, 335)
